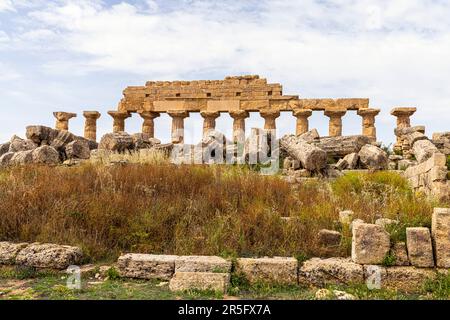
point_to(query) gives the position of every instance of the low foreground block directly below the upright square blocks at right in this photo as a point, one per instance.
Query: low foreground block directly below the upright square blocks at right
(404, 279)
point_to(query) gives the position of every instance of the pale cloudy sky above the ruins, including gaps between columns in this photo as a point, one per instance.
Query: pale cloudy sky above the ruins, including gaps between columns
(80, 55)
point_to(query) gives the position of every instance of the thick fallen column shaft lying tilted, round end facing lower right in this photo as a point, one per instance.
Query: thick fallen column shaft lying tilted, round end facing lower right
(311, 157)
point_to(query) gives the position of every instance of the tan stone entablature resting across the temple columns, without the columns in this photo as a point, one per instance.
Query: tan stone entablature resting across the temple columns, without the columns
(247, 93)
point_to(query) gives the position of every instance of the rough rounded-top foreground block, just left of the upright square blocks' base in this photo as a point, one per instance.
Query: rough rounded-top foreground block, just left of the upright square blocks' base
(322, 272)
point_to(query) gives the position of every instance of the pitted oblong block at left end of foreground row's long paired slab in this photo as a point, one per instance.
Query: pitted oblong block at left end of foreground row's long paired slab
(146, 266)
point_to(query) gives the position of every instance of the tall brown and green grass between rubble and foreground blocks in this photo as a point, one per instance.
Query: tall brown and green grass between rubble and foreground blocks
(206, 210)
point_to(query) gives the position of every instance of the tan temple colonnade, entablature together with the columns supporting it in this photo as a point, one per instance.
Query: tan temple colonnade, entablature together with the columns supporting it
(236, 96)
